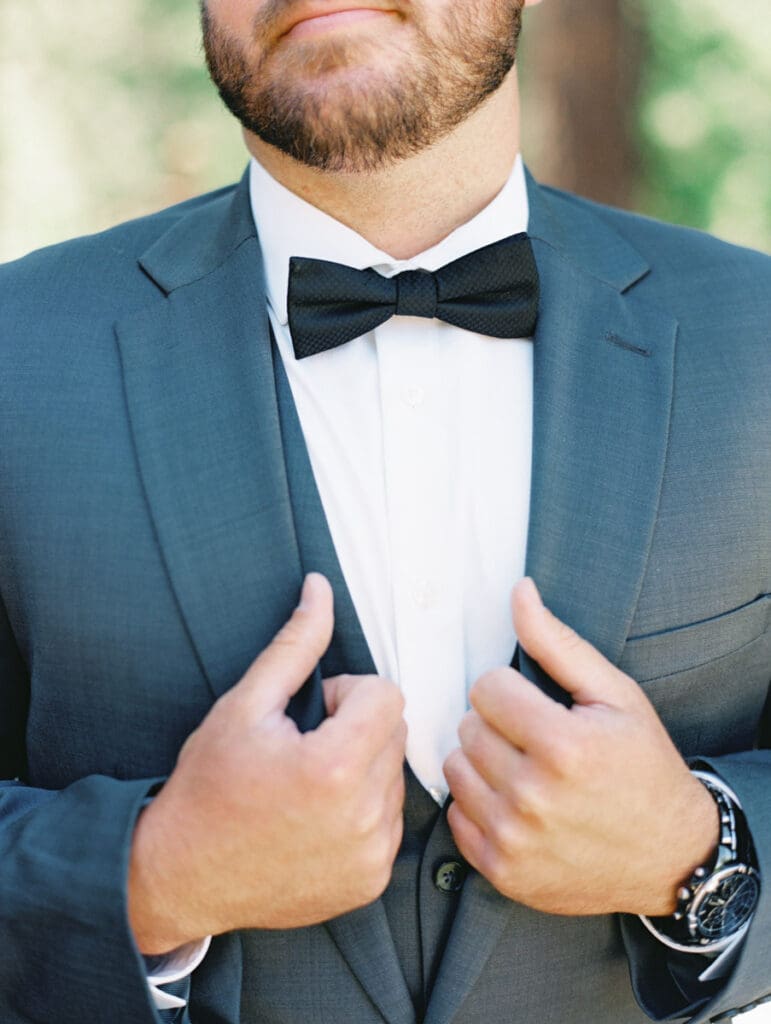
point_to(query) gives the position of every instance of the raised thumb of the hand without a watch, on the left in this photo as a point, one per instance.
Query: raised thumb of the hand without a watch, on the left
(283, 667)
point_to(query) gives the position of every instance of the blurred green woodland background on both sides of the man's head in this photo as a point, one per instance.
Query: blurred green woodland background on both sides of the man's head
(663, 106)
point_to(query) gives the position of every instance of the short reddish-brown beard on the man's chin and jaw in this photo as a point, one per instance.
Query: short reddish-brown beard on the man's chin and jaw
(357, 105)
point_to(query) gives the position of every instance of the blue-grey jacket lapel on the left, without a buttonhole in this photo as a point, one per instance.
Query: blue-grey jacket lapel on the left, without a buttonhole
(201, 399)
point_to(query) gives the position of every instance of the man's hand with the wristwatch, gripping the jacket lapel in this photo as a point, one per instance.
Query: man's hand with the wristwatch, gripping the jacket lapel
(578, 812)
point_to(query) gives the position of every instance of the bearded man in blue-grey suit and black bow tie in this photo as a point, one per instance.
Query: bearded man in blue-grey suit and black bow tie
(205, 408)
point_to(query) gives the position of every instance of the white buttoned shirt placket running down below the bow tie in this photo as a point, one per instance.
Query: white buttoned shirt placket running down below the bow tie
(420, 448)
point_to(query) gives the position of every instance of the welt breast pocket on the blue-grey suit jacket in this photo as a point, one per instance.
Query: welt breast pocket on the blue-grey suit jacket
(671, 652)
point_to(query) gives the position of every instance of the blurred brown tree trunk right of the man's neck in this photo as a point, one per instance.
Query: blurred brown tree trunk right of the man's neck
(581, 65)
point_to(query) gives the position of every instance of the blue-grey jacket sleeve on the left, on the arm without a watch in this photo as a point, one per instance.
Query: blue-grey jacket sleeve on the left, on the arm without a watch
(67, 953)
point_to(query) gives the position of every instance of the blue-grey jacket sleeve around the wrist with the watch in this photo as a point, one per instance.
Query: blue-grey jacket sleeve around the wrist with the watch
(666, 983)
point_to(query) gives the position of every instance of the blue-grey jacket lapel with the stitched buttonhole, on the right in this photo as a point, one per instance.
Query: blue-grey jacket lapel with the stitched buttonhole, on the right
(603, 392)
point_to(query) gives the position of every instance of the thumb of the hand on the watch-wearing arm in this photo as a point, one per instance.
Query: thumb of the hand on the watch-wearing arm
(570, 660)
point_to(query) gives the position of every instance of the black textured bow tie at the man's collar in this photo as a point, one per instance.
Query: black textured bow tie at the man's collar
(493, 291)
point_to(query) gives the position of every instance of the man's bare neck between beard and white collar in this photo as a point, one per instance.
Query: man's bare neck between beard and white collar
(412, 206)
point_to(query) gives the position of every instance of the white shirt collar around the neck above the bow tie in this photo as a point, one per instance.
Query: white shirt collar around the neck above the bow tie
(288, 227)
